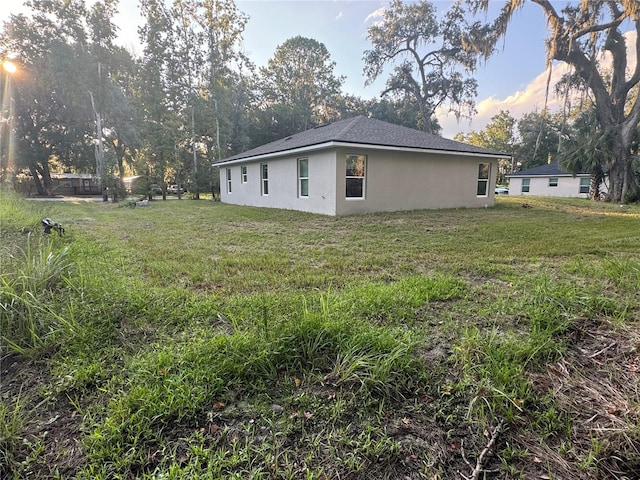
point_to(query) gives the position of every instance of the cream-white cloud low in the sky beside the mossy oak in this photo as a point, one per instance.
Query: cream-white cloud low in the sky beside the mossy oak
(530, 99)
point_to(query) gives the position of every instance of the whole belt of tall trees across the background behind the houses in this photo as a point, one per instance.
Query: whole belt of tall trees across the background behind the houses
(80, 103)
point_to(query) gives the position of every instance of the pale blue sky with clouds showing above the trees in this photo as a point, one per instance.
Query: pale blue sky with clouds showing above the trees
(513, 79)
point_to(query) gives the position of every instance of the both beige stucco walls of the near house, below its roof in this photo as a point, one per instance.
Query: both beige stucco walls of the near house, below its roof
(394, 181)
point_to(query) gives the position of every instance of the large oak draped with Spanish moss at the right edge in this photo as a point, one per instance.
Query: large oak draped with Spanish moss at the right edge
(590, 37)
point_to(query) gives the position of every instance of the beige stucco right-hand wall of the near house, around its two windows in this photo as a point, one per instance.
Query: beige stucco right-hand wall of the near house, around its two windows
(411, 181)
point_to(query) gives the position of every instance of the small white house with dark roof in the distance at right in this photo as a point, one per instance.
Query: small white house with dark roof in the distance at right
(551, 180)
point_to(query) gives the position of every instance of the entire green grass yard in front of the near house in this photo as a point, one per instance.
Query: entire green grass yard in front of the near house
(197, 340)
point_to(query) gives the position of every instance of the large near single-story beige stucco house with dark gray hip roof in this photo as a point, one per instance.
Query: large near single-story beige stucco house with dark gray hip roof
(360, 165)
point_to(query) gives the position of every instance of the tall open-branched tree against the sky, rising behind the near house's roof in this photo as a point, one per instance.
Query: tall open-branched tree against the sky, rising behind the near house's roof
(430, 61)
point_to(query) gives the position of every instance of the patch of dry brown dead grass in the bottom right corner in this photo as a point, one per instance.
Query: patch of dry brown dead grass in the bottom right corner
(597, 385)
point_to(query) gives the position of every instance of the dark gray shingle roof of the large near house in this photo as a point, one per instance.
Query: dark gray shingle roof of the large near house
(363, 130)
